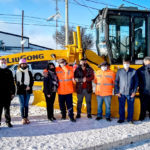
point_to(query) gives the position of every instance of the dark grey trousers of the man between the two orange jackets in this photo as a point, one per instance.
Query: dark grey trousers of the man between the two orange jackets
(88, 101)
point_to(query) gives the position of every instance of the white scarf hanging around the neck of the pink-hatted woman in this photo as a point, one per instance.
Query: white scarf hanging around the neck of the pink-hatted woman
(26, 76)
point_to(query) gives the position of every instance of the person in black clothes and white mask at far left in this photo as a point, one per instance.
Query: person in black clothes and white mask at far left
(7, 91)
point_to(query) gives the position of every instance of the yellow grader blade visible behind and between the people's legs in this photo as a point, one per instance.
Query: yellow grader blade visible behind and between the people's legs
(39, 100)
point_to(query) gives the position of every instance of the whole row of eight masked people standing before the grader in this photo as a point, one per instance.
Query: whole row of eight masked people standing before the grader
(61, 79)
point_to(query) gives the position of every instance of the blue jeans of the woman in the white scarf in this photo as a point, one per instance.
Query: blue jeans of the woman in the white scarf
(24, 105)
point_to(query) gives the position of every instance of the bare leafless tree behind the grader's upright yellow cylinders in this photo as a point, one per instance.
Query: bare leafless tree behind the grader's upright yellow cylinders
(87, 39)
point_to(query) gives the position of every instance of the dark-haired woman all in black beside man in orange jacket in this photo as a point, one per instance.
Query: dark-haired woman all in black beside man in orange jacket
(50, 88)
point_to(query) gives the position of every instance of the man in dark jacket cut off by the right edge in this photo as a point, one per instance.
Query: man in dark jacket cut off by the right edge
(144, 87)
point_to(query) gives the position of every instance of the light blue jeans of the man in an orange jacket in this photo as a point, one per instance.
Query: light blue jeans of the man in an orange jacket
(100, 100)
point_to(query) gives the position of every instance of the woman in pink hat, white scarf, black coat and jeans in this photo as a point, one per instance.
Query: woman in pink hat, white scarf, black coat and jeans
(24, 82)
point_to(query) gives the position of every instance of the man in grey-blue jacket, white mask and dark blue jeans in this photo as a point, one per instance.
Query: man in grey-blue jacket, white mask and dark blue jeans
(126, 83)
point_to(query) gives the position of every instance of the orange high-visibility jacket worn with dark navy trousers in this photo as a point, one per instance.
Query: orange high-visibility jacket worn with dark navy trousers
(65, 78)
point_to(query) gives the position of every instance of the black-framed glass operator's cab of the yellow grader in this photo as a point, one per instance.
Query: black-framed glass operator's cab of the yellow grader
(123, 32)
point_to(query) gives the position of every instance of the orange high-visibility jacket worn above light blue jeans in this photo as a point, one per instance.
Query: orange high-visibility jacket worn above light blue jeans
(104, 82)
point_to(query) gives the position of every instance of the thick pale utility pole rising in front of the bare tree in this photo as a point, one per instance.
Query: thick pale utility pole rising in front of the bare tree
(66, 22)
